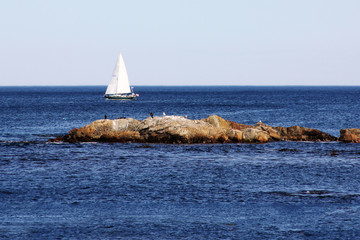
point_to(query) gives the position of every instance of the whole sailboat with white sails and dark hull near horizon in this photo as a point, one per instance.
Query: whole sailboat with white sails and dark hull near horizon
(119, 86)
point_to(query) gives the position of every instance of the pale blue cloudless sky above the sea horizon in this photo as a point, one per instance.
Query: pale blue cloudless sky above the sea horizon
(180, 42)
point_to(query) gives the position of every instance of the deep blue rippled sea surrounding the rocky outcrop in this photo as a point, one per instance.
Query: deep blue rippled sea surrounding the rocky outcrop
(284, 190)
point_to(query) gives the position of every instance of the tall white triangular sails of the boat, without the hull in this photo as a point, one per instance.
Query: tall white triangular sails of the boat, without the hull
(119, 82)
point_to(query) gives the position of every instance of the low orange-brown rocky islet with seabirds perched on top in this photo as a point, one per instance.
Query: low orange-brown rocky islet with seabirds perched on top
(181, 130)
